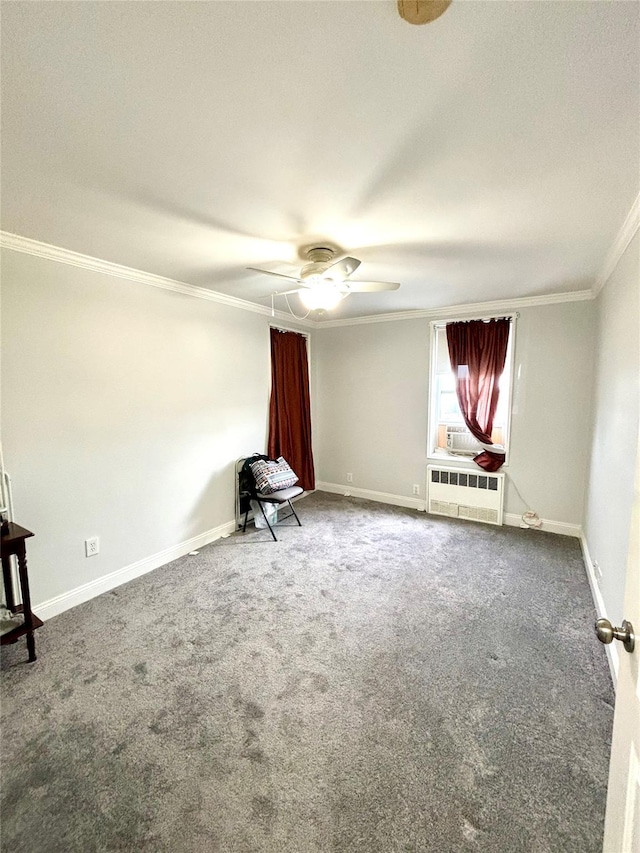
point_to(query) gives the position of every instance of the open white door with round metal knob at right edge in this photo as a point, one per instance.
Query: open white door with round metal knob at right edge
(622, 822)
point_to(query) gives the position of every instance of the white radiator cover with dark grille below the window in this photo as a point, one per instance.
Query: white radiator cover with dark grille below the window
(465, 494)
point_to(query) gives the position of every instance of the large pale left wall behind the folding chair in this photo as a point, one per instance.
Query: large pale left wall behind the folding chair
(124, 408)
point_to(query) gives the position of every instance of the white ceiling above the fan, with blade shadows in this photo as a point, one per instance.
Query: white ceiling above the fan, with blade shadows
(490, 155)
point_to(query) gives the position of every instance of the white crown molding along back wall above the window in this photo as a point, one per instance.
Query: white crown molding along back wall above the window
(499, 306)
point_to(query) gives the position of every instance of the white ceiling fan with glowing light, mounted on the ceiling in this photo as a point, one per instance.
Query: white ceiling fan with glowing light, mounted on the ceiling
(323, 282)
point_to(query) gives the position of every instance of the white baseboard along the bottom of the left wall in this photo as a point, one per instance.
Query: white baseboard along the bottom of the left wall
(47, 609)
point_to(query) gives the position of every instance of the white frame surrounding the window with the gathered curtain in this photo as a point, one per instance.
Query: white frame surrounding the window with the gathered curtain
(432, 414)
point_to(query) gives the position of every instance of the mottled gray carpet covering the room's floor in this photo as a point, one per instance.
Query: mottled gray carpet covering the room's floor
(378, 681)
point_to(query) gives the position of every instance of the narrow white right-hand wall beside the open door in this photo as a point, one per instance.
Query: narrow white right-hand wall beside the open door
(615, 427)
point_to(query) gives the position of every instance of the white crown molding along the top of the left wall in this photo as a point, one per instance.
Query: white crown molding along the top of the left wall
(27, 246)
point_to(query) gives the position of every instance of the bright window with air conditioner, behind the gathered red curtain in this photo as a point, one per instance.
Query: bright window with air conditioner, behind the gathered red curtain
(448, 434)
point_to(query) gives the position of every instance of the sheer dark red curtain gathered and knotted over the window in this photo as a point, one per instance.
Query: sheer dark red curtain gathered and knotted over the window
(477, 351)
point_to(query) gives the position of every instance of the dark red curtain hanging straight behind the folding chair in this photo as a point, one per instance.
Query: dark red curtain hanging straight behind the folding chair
(290, 408)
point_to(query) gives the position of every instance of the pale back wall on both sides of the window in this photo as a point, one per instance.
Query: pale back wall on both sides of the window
(372, 401)
